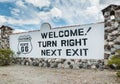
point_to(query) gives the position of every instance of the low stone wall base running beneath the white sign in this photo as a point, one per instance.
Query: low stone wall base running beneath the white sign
(60, 63)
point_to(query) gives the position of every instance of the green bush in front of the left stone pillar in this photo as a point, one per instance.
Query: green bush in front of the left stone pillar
(6, 57)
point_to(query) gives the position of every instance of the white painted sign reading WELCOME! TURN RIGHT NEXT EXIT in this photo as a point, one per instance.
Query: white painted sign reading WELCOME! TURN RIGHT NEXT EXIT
(76, 42)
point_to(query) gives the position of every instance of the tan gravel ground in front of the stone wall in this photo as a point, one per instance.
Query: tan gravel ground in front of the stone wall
(17, 74)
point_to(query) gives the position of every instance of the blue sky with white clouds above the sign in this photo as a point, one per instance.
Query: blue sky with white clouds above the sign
(27, 15)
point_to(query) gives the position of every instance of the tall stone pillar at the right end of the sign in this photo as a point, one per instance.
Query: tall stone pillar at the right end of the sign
(112, 30)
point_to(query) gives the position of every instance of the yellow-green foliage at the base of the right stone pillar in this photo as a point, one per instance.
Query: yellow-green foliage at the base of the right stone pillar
(115, 60)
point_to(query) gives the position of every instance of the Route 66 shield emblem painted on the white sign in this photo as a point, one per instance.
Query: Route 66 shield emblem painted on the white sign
(24, 44)
